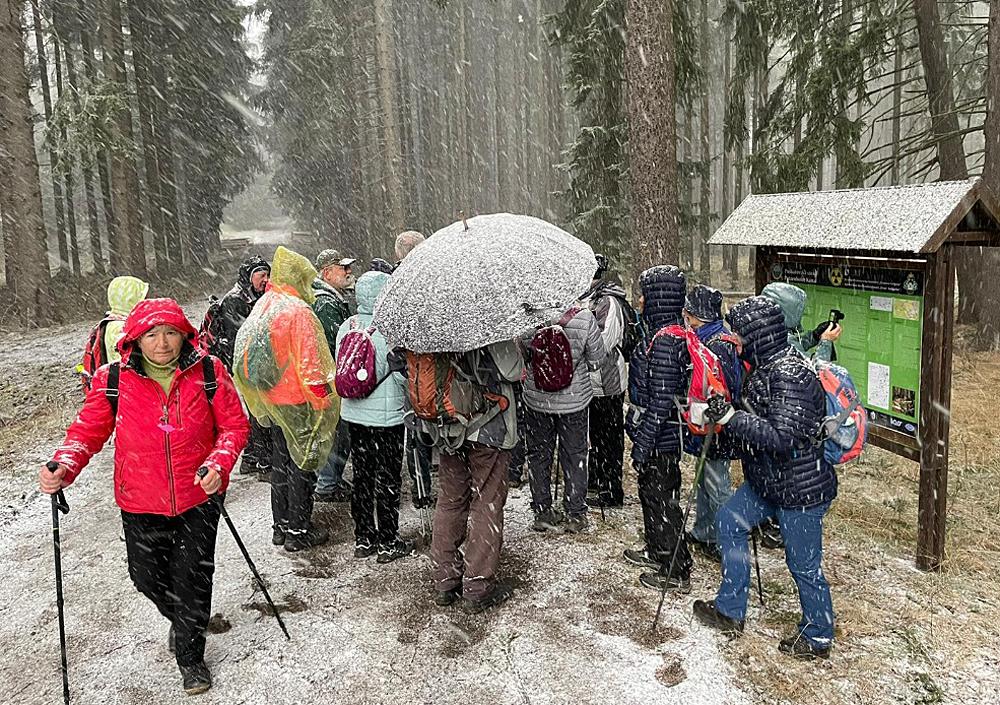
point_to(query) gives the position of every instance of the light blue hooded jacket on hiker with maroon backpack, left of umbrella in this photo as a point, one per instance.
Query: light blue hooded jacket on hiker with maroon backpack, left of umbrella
(384, 406)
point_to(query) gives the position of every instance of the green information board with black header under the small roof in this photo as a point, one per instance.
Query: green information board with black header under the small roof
(882, 331)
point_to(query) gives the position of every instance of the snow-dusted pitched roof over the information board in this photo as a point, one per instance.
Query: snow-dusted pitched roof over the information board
(896, 218)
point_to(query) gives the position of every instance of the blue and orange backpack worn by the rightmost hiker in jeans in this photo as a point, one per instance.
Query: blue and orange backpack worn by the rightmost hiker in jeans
(845, 427)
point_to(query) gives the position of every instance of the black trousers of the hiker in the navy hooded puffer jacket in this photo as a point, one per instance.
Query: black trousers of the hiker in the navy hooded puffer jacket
(662, 514)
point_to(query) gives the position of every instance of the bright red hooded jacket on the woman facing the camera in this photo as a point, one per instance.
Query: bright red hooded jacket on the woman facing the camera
(162, 439)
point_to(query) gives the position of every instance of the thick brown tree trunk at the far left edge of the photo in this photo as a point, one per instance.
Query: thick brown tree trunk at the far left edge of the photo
(27, 260)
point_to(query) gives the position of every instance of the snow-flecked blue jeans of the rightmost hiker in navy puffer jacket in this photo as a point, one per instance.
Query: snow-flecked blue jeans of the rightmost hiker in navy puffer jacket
(803, 533)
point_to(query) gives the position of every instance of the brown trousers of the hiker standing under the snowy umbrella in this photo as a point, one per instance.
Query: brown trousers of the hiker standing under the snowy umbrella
(471, 498)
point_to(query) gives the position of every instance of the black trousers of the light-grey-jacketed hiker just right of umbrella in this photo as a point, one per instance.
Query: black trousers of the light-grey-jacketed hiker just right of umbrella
(607, 448)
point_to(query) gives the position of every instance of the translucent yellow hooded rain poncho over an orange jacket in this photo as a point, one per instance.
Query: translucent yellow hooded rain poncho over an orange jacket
(282, 363)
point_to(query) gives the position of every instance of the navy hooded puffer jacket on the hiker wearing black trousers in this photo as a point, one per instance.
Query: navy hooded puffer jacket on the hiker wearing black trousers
(658, 379)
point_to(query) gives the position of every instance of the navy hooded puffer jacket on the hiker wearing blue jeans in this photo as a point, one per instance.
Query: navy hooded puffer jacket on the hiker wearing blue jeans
(776, 442)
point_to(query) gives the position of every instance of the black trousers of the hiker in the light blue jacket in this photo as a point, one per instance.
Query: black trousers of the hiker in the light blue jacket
(378, 461)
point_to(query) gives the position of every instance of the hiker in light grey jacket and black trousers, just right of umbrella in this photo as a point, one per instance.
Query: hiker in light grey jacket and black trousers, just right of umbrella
(607, 409)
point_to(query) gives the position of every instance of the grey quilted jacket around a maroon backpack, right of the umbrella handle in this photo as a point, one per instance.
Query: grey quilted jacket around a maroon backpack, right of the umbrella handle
(589, 352)
